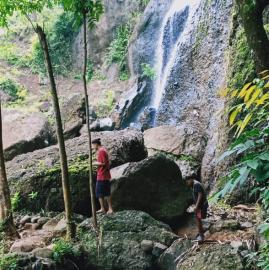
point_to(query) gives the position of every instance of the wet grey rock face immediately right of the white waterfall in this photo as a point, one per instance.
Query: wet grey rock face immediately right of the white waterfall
(199, 72)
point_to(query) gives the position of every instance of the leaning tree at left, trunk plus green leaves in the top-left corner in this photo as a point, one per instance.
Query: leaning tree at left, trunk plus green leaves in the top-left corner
(26, 7)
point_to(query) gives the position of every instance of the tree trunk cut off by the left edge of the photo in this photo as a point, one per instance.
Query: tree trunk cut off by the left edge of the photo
(6, 216)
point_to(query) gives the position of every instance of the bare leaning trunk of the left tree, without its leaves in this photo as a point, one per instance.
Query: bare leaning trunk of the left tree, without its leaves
(71, 230)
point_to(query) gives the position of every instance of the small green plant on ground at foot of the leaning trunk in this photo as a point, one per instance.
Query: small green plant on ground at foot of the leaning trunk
(63, 250)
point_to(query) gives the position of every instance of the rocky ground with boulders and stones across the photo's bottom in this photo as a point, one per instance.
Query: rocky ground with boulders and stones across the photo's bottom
(134, 240)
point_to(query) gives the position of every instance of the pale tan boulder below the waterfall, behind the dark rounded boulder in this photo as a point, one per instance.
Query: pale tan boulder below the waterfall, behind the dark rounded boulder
(181, 143)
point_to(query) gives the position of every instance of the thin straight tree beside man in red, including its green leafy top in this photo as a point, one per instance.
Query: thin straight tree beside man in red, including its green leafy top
(89, 11)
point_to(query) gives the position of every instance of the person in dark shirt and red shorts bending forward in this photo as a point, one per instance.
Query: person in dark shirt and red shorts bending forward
(201, 204)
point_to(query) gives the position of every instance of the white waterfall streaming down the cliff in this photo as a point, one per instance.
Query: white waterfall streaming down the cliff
(175, 30)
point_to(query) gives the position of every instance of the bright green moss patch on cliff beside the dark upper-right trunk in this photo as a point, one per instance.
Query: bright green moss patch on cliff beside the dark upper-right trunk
(242, 64)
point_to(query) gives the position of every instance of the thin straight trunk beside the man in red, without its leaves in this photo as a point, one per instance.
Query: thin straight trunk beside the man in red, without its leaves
(91, 184)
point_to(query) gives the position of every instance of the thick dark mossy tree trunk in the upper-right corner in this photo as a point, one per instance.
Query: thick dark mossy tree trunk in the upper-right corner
(251, 13)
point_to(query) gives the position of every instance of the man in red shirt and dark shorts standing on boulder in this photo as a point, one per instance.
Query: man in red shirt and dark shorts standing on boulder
(103, 185)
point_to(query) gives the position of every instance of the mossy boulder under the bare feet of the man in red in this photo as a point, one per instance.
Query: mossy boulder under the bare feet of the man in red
(121, 245)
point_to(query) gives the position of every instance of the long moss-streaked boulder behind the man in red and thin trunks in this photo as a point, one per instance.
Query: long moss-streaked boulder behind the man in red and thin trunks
(39, 172)
